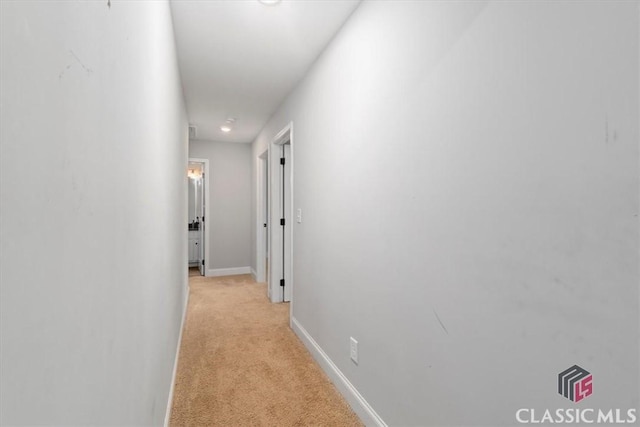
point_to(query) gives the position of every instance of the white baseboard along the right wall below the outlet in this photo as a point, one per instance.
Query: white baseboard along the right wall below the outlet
(359, 405)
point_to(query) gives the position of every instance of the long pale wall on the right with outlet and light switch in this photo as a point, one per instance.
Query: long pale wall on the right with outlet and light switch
(468, 174)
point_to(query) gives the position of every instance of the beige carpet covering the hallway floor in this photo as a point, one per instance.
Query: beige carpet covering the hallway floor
(241, 365)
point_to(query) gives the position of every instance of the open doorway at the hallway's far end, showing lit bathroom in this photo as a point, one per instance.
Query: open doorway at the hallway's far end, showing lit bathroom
(198, 173)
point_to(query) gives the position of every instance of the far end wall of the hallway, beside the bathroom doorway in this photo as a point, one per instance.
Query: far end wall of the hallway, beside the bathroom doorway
(227, 222)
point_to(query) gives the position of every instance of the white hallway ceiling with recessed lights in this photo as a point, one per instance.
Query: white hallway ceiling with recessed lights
(240, 58)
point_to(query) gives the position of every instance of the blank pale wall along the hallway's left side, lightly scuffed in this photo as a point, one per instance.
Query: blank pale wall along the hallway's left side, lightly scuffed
(93, 224)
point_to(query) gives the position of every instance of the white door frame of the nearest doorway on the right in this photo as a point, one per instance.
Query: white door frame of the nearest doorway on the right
(275, 231)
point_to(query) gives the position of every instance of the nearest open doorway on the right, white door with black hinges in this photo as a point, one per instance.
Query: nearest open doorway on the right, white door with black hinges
(281, 216)
